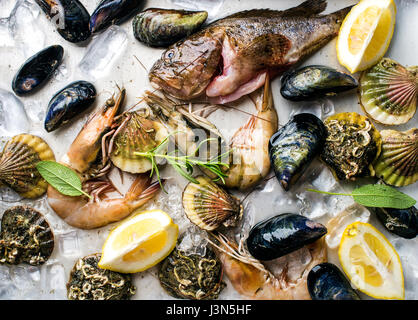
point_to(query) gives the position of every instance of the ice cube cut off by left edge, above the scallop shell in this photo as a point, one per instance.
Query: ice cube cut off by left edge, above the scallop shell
(13, 118)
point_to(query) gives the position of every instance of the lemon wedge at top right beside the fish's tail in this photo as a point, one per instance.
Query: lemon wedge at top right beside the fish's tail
(365, 34)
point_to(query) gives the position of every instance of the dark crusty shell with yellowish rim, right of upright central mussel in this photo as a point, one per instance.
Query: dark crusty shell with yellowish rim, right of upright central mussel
(351, 145)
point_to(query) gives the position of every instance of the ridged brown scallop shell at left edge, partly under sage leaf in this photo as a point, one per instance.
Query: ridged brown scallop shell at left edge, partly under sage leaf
(18, 165)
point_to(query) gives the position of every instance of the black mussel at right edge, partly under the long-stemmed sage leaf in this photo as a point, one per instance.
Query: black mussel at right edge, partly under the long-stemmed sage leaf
(402, 222)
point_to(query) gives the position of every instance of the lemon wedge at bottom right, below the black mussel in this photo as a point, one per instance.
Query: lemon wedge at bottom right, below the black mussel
(371, 262)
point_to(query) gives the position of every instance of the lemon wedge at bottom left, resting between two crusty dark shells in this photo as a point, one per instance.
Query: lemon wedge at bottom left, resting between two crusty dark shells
(139, 242)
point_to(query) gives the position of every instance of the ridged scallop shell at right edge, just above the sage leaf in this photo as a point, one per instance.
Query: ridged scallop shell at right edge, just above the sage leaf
(397, 164)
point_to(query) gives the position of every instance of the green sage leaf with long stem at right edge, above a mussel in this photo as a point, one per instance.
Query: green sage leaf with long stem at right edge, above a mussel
(378, 196)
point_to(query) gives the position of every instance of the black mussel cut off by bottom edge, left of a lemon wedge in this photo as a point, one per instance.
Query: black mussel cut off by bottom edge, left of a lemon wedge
(326, 282)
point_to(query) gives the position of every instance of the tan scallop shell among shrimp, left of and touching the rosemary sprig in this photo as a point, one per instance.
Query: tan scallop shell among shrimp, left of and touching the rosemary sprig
(137, 133)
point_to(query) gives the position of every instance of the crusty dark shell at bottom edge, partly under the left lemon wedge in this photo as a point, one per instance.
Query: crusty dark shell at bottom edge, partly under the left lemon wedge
(89, 282)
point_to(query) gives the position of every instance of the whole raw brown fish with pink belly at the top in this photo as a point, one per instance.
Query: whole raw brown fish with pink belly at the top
(232, 56)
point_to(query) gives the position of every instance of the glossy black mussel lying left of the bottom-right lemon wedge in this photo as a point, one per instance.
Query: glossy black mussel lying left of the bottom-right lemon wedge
(282, 234)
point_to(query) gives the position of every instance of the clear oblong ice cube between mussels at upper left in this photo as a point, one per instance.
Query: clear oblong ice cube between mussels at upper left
(103, 52)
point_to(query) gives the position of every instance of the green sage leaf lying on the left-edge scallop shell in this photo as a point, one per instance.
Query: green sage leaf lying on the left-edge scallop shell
(61, 178)
